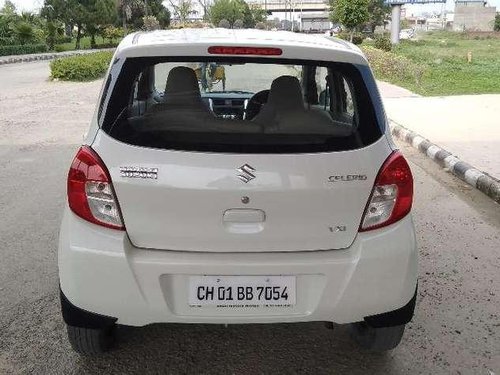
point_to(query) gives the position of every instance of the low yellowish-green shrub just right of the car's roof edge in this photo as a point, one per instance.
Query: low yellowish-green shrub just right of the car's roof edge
(389, 66)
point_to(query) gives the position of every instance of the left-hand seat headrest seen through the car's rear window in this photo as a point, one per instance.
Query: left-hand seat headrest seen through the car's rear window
(182, 86)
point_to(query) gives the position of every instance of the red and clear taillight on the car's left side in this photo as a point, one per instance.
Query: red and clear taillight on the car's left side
(90, 191)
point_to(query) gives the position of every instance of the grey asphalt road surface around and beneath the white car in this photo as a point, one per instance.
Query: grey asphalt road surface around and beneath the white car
(456, 329)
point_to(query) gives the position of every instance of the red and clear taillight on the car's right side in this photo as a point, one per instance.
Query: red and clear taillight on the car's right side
(392, 194)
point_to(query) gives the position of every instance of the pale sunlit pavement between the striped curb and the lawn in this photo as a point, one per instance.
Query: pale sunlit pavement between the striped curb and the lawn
(468, 126)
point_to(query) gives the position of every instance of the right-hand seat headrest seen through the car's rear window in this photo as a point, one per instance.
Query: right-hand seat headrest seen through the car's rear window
(286, 93)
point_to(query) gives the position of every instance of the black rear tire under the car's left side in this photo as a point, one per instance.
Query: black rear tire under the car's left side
(89, 341)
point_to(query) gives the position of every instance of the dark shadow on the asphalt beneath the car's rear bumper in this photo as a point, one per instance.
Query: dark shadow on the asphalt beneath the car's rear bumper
(237, 349)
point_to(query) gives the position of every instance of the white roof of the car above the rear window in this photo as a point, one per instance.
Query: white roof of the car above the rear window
(195, 42)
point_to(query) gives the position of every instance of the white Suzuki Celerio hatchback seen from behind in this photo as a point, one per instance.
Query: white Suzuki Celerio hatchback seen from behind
(238, 176)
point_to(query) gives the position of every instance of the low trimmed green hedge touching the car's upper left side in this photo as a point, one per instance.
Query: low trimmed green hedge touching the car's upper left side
(81, 68)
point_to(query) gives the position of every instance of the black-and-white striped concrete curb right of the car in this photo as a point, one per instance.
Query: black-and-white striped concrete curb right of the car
(466, 172)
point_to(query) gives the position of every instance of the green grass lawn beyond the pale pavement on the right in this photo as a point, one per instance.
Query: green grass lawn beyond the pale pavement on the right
(442, 56)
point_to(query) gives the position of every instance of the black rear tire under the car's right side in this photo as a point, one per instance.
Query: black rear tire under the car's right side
(377, 339)
